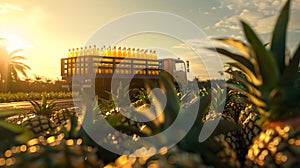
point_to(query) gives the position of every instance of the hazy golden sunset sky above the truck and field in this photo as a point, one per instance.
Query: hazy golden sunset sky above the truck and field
(47, 29)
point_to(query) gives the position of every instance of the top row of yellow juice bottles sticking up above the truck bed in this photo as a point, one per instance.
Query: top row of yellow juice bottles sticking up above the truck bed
(115, 52)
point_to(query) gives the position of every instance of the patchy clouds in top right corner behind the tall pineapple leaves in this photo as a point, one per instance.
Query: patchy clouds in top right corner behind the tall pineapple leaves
(261, 15)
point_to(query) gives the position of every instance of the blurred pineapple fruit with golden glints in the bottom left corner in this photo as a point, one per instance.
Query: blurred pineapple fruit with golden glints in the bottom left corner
(51, 152)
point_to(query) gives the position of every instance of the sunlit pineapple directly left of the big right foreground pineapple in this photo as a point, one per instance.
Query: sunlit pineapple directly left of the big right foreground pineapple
(244, 114)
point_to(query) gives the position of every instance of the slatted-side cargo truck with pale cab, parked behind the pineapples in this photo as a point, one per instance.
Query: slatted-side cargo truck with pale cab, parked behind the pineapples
(97, 70)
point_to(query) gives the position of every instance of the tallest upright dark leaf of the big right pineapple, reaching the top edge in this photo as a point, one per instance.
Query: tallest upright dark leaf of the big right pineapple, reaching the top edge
(279, 36)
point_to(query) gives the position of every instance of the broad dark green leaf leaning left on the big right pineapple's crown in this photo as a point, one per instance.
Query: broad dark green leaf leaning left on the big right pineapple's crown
(265, 60)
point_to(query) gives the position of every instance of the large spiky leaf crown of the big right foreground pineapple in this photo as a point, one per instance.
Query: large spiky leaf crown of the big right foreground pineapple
(270, 81)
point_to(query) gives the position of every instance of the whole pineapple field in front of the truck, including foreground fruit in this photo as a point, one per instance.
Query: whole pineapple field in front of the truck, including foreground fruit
(250, 120)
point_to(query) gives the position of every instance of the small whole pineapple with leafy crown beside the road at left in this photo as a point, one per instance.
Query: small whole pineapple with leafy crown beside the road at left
(40, 123)
